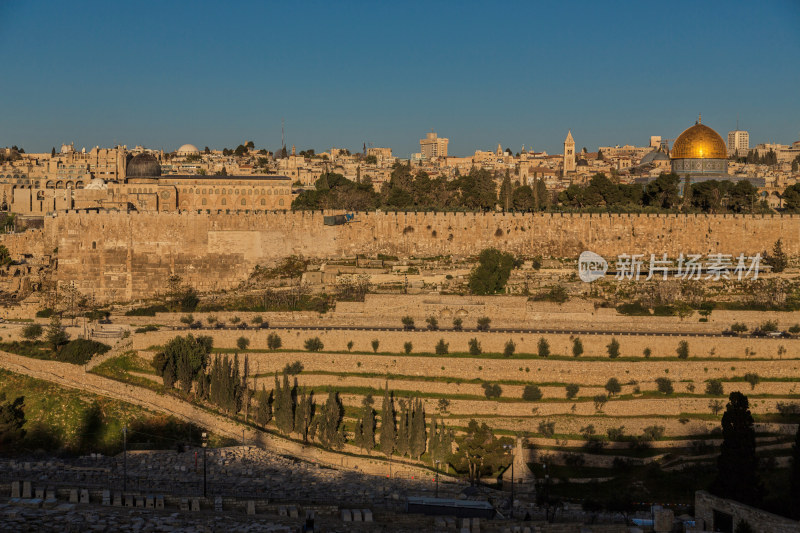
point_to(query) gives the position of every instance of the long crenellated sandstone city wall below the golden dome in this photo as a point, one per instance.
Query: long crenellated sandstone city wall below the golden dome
(121, 256)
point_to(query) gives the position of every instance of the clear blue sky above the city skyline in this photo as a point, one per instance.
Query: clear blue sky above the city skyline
(162, 74)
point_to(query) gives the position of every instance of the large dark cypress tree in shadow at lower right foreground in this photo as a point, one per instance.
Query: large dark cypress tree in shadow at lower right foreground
(737, 467)
